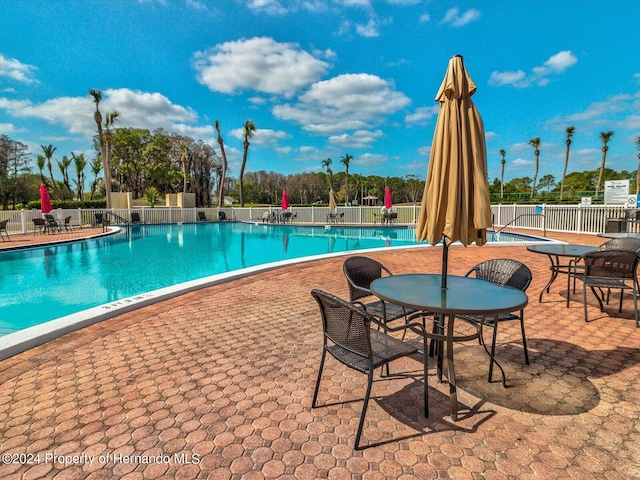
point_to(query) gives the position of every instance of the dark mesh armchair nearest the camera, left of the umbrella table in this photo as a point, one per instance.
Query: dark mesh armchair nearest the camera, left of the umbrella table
(349, 338)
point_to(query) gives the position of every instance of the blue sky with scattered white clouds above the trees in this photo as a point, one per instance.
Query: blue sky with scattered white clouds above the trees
(325, 78)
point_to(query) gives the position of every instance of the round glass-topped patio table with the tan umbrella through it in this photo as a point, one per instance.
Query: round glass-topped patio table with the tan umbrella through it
(463, 296)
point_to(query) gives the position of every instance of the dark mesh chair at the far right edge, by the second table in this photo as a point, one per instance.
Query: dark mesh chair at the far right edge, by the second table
(610, 269)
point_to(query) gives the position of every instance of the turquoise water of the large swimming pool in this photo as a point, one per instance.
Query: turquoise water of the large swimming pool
(42, 284)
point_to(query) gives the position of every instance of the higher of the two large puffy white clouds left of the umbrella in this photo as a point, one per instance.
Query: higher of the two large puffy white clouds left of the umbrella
(260, 64)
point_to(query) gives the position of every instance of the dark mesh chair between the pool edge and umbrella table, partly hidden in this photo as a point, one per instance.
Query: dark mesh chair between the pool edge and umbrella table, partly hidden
(360, 272)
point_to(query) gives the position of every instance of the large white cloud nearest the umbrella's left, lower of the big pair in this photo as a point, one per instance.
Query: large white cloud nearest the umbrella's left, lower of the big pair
(344, 103)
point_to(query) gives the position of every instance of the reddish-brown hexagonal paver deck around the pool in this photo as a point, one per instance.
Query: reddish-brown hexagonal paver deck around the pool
(228, 373)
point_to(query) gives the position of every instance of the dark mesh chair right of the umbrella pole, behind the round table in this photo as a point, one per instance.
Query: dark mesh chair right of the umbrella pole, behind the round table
(508, 273)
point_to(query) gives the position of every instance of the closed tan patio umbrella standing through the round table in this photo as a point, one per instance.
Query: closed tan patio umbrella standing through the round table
(455, 203)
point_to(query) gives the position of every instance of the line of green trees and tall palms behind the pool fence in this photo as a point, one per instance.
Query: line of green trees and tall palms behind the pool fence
(153, 163)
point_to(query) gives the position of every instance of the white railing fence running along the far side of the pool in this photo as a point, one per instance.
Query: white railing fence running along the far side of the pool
(555, 218)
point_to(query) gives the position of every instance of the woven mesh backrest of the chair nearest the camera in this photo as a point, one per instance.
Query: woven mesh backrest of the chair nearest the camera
(344, 324)
